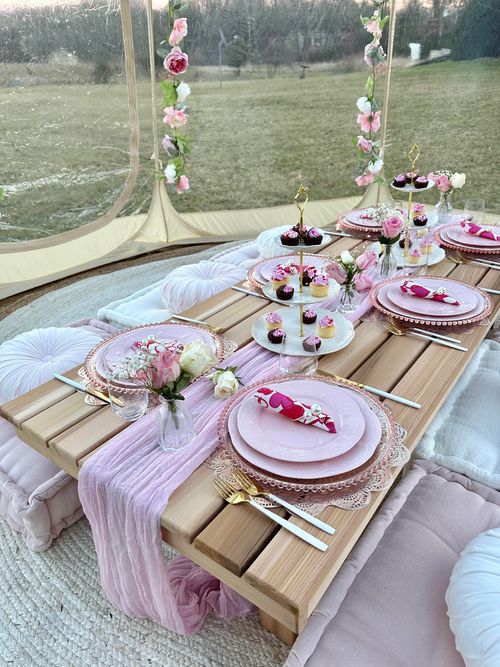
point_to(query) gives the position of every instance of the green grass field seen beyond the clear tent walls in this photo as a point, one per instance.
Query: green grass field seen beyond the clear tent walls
(65, 148)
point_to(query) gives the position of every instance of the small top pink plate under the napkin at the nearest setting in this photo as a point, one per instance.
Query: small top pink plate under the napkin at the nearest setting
(277, 436)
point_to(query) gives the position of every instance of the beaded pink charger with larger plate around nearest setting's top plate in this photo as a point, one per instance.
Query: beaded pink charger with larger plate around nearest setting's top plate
(343, 474)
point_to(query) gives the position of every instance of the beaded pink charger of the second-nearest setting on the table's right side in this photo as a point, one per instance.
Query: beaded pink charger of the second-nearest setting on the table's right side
(380, 300)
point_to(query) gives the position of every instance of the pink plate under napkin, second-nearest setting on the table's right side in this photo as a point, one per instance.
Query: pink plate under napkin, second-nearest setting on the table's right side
(468, 299)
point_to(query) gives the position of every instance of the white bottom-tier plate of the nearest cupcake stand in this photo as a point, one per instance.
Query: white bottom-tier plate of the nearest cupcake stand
(344, 332)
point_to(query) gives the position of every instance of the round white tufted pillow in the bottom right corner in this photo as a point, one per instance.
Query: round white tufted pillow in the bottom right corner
(473, 599)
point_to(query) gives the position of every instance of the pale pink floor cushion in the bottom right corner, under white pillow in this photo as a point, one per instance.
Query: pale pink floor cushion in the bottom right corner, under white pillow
(386, 606)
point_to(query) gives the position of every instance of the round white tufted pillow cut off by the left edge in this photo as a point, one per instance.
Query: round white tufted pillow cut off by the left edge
(32, 358)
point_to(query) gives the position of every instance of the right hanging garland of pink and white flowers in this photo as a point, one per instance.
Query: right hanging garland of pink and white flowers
(370, 162)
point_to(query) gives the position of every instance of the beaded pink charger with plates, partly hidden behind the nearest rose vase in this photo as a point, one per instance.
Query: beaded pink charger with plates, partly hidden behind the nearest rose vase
(122, 344)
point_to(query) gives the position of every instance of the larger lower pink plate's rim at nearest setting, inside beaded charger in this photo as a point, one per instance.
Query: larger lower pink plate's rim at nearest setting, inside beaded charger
(350, 460)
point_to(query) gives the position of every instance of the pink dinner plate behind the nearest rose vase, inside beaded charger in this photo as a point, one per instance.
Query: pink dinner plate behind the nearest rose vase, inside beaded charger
(122, 345)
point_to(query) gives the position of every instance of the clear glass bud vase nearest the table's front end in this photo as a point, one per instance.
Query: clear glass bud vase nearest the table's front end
(175, 424)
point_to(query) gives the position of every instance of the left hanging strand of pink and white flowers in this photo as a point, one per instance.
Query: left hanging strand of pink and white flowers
(175, 93)
